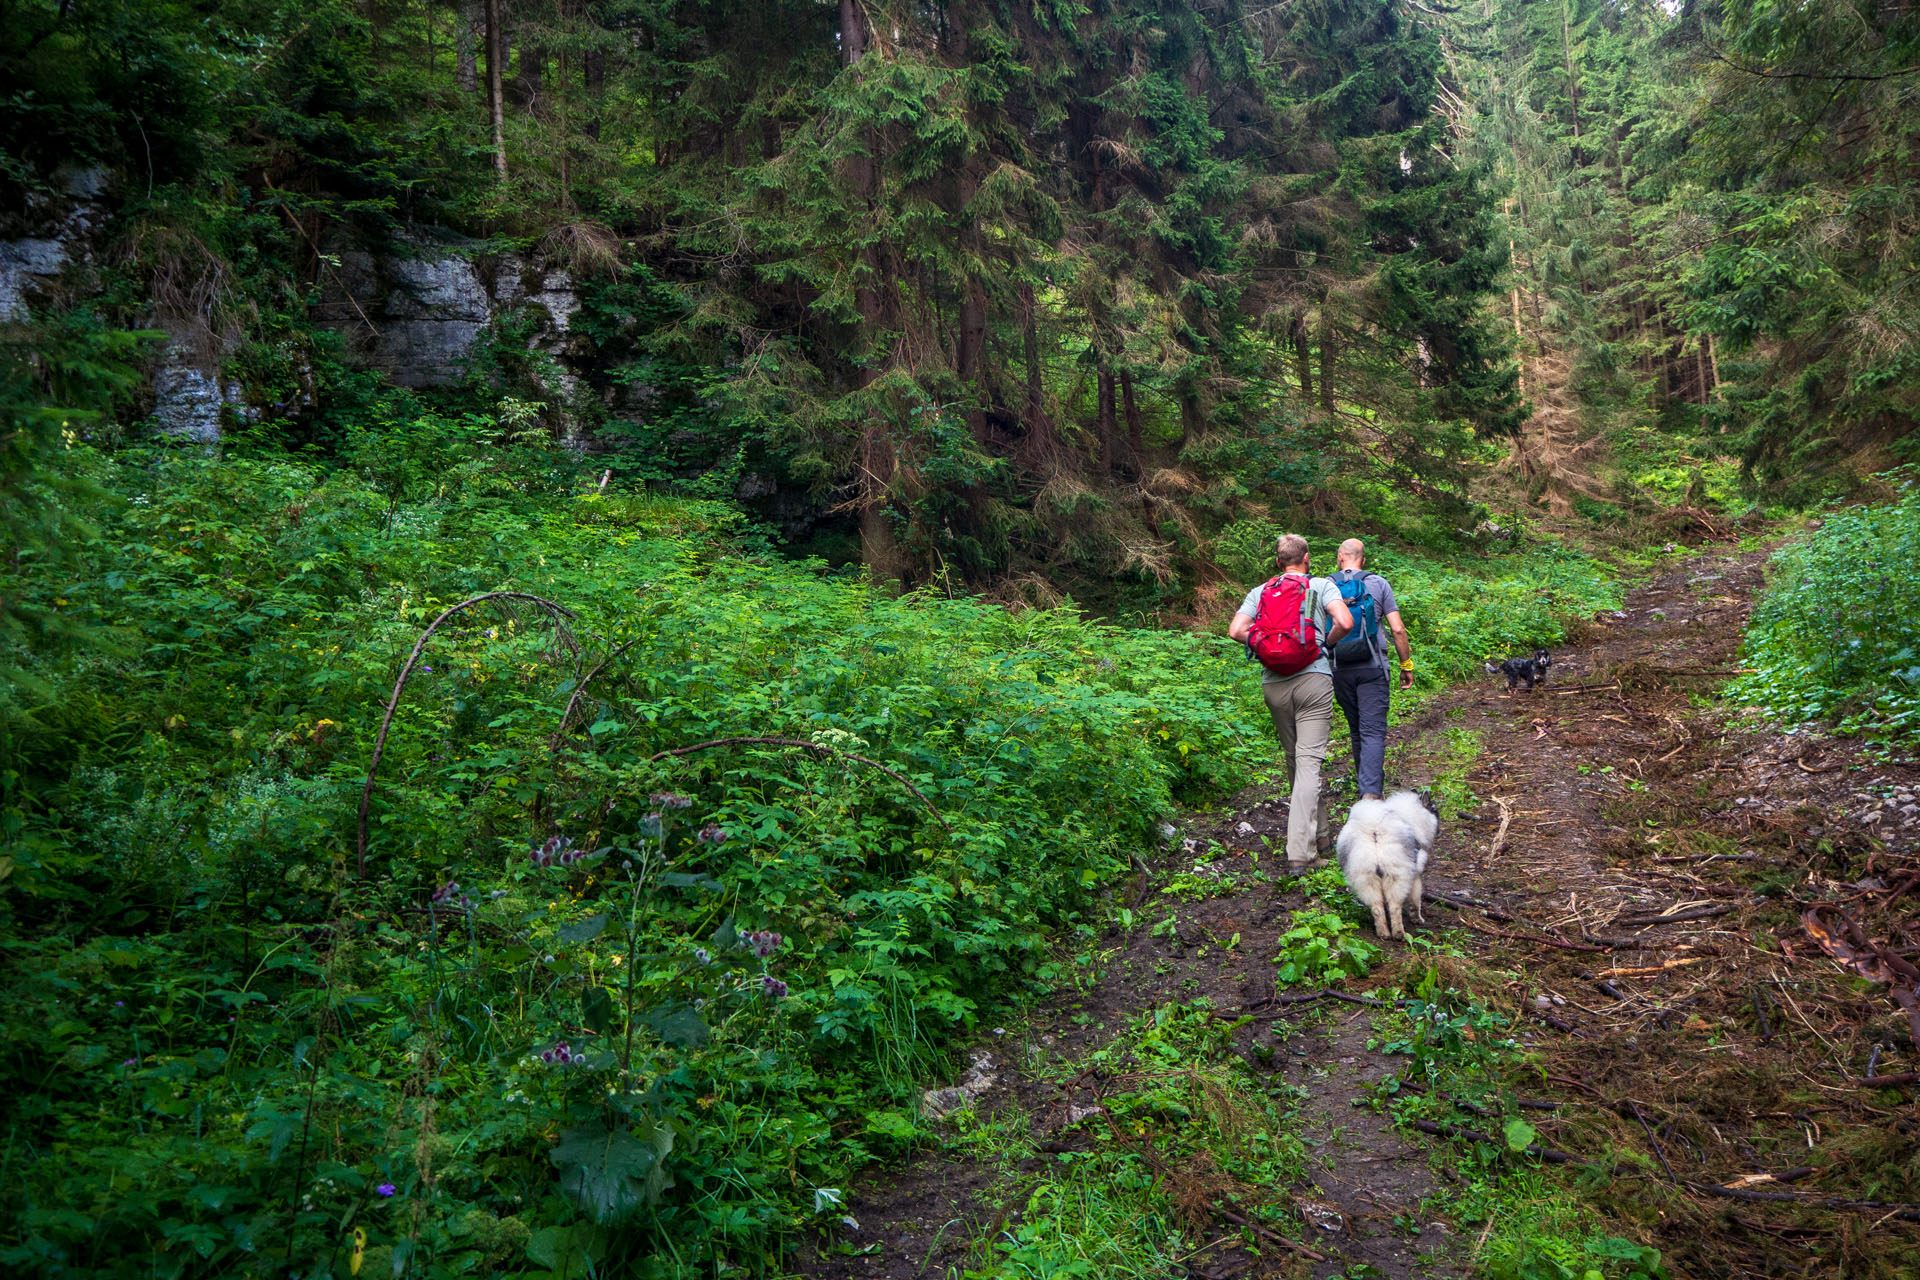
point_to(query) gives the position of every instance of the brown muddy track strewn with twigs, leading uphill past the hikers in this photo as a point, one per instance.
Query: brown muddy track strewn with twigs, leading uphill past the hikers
(1641, 866)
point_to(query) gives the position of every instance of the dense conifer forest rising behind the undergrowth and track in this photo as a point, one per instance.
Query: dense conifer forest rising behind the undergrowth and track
(990, 291)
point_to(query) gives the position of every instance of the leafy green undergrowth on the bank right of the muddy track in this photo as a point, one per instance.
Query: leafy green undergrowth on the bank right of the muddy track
(1836, 636)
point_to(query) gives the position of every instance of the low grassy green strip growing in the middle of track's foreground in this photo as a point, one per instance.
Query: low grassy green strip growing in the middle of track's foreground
(1186, 1127)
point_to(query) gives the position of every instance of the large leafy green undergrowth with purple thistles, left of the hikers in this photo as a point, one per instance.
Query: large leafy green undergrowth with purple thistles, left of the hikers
(588, 1010)
